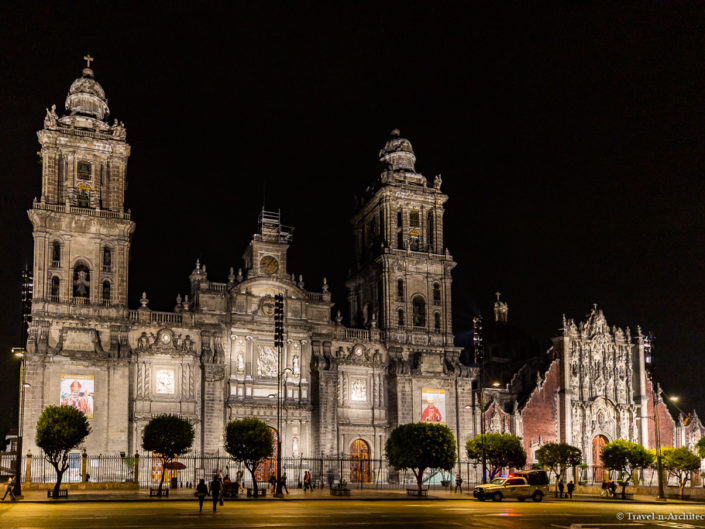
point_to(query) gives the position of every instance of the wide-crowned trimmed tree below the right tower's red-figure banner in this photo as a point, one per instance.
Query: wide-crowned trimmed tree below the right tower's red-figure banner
(419, 446)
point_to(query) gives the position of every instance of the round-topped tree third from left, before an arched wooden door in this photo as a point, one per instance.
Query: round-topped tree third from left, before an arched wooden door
(249, 441)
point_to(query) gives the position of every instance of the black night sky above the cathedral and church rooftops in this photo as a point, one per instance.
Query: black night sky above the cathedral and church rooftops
(569, 137)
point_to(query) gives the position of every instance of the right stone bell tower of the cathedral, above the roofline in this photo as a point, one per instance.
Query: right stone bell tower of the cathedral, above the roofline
(402, 274)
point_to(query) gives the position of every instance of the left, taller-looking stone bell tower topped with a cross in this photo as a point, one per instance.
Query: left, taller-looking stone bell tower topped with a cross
(81, 230)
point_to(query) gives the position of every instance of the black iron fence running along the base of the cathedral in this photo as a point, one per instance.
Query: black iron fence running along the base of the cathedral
(357, 473)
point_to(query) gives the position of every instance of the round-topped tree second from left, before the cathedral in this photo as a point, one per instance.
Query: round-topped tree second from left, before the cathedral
(169, 436)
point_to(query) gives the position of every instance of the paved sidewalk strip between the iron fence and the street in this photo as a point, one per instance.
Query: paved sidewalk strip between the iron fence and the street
(142, 495)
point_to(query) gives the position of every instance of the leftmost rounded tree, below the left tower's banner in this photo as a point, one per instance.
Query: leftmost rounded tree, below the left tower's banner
(60, 429)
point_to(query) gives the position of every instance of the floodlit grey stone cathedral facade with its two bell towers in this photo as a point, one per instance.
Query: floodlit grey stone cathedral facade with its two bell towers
(213, 359)
